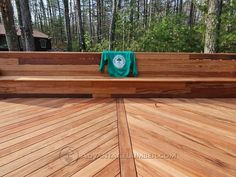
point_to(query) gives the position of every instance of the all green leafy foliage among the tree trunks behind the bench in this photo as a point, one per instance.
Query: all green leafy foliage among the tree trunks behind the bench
(162, 33)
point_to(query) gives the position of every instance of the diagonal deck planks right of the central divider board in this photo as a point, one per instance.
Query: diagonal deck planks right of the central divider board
(182, 137)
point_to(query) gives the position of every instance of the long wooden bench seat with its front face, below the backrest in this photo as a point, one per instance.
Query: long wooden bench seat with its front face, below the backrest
(102, 86)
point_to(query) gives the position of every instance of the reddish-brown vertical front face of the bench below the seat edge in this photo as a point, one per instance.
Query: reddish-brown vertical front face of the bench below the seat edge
(135, 88)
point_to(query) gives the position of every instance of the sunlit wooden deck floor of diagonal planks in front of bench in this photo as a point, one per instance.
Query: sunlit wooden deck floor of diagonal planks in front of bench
(117, 137)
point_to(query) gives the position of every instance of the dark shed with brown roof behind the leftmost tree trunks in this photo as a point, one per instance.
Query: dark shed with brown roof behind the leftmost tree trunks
(41, 40)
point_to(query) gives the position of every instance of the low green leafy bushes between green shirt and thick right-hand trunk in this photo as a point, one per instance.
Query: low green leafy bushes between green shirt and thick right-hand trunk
(170, 34)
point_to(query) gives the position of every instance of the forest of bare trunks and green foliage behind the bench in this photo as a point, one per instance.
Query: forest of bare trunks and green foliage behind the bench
(140, 25)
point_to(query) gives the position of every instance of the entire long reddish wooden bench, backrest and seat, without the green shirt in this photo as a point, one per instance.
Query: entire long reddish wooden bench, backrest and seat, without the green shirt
(39, 74)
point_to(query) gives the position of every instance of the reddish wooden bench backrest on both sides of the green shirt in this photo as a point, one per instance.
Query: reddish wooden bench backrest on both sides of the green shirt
(149, 64)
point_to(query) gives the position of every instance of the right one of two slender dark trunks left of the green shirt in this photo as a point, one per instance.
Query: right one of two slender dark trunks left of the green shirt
(81, 28)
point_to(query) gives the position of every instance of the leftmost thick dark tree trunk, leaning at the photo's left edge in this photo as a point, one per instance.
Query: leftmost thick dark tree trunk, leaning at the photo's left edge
(8, 21)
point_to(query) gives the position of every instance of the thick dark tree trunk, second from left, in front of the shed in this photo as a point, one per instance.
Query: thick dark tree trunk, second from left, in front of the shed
(27, 26)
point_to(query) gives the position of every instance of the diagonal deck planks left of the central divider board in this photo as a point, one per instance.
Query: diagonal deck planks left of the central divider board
(75, 136)
